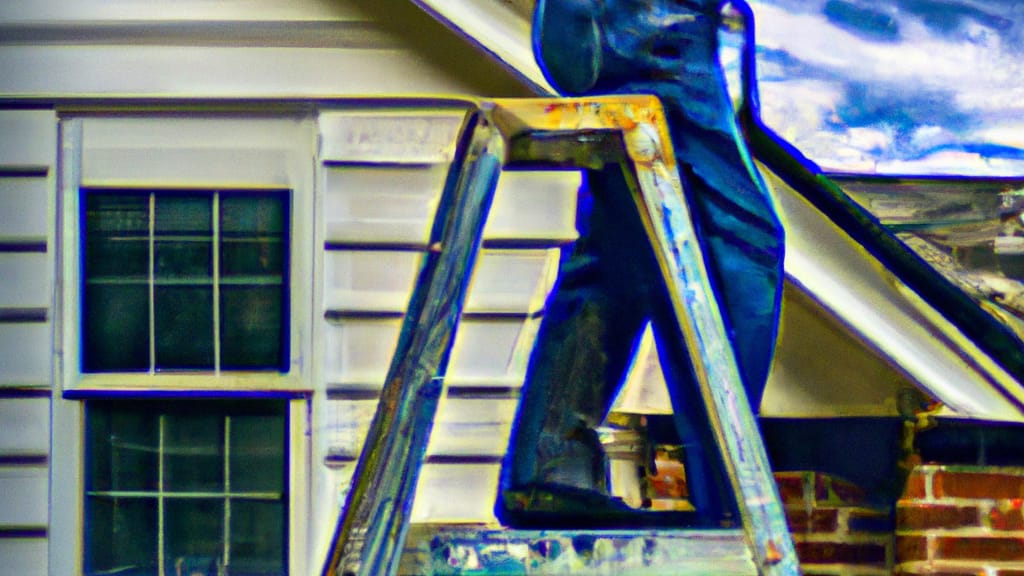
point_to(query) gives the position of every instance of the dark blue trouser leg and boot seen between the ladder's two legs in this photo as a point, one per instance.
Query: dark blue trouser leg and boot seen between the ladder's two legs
(588, 339)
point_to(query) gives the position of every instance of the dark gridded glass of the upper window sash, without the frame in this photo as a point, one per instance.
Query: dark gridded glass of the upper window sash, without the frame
(185, 280)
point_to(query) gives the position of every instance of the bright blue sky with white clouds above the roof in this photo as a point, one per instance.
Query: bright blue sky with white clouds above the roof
(897, 88)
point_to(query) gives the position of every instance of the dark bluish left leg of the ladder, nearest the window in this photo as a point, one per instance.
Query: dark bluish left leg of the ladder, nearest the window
(371, 532)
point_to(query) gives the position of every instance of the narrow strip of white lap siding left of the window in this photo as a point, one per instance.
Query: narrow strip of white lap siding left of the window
(28, 150)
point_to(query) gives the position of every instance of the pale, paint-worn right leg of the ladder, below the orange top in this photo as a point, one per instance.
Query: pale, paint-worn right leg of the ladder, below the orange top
(667, 219)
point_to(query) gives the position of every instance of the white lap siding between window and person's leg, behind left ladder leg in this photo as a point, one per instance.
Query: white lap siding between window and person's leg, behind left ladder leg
(379, 197)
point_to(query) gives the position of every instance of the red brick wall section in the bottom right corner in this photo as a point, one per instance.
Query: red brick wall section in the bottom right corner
(962, 520)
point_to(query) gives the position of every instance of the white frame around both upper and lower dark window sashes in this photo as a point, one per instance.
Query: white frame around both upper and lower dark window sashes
(203, 152)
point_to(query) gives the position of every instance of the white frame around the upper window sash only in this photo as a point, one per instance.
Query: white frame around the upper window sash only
(249, 162)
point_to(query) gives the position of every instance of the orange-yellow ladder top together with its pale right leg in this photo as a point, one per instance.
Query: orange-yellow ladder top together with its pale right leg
(660, 199)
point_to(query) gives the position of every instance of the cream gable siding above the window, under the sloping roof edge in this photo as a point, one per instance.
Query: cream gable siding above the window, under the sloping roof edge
(244, 49)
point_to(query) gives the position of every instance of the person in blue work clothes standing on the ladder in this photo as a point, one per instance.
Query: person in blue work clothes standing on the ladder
(608, 292)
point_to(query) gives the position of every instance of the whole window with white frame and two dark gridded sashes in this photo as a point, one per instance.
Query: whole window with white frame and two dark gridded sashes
(185, 266)
